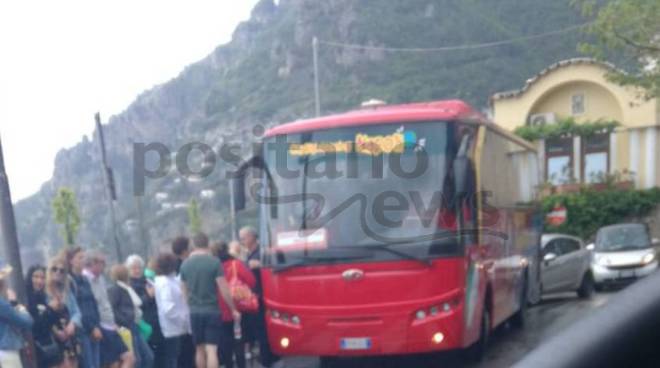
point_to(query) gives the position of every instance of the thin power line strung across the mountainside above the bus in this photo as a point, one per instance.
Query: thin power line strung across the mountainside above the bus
(456, 47)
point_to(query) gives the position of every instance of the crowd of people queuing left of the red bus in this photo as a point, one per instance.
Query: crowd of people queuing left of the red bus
(195, 305)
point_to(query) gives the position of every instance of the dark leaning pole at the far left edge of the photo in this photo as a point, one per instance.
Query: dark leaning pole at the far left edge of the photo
(9, 236)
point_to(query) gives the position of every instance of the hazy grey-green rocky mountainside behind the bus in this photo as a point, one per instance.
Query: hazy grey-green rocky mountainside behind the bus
(264, 76)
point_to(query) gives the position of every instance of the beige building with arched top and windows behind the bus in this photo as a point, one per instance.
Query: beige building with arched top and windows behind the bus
(578, 88)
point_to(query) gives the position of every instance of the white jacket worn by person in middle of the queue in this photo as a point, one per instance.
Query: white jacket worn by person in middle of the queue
(173, 312)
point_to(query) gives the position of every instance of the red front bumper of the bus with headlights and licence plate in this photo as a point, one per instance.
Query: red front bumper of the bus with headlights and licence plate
(364, 335)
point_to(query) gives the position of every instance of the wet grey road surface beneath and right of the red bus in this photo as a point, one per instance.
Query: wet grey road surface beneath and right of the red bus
(554, 314)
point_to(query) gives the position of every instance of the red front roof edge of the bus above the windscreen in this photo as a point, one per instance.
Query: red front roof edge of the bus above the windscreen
(435, 110)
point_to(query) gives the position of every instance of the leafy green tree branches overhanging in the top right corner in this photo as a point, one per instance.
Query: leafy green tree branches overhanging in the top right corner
(630, 28)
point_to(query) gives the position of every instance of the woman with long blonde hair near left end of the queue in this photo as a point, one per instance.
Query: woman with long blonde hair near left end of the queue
(58, 314)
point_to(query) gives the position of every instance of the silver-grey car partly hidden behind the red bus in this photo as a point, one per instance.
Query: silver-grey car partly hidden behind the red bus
(565, 265)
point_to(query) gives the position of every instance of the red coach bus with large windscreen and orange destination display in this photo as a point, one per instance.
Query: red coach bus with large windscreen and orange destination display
(394, 230)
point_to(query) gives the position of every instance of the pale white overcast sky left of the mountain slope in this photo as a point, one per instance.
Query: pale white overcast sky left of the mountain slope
(61, 61)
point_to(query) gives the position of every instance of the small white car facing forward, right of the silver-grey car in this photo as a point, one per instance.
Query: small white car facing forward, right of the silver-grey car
(622, 254)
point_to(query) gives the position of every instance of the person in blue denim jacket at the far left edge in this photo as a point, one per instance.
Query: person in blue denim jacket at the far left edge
(14, 320)
